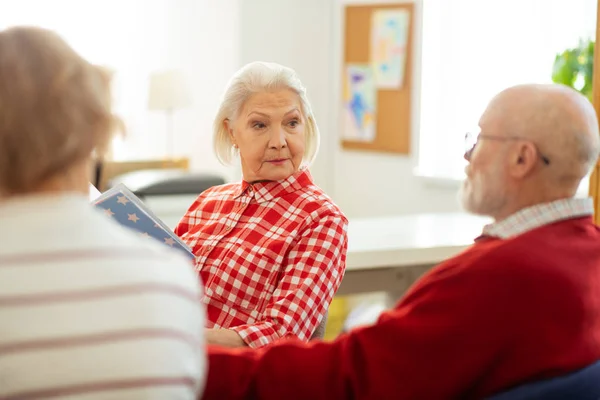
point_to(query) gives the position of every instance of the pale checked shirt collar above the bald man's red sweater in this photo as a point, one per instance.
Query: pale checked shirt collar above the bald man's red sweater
(541, 214)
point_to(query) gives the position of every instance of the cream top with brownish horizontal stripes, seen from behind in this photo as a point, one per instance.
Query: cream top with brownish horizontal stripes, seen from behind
(90, 310)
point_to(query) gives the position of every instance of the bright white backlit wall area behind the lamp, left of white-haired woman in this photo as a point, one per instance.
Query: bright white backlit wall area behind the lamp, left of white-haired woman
(137, 37)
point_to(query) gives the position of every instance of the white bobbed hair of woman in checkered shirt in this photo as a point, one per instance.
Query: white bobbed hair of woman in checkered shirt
(255, 78)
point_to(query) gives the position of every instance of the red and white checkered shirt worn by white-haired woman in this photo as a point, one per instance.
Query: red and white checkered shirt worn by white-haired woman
(271, 256)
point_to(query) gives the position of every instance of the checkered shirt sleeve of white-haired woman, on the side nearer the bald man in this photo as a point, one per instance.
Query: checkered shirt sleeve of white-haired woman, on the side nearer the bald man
(313, 271)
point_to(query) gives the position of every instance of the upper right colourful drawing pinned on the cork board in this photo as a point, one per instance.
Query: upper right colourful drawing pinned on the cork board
(389, 38)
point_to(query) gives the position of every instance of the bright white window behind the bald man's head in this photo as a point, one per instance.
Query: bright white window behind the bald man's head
(472, 49)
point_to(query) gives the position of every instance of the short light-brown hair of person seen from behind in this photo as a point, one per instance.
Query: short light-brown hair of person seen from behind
(55, 109)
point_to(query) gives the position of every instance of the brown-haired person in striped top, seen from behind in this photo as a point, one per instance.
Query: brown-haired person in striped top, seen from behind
(88, 308)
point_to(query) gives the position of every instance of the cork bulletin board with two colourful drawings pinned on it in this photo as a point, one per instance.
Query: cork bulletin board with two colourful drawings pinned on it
(377, 77)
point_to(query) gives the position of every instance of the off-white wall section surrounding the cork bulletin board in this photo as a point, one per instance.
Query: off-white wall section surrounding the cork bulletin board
(306, 35)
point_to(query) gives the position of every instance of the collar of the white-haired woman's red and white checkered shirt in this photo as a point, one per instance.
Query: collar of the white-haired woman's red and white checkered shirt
(266, 191)
